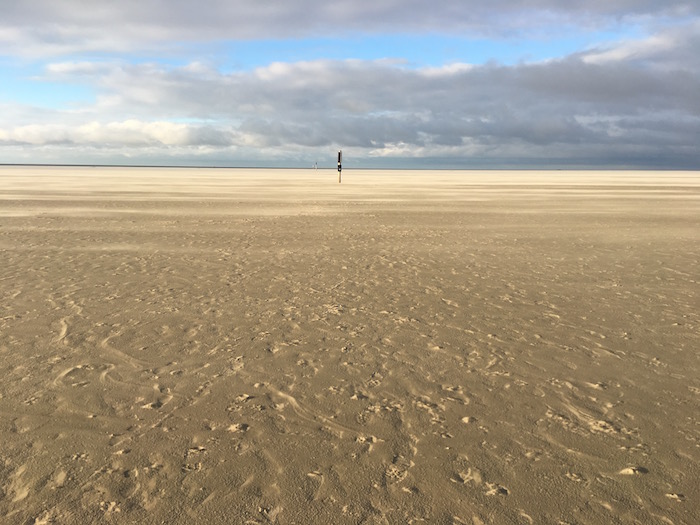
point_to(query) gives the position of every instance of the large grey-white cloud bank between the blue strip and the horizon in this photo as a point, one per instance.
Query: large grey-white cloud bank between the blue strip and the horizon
(579, 106)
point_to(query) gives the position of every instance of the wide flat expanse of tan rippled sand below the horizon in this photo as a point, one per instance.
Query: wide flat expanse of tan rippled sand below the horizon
(261, 346)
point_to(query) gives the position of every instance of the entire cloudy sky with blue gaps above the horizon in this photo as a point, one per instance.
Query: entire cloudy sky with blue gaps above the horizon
(393, 83)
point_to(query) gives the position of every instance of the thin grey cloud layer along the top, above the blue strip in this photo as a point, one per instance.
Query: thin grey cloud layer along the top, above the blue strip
(54, 27)
